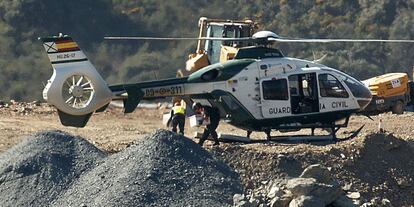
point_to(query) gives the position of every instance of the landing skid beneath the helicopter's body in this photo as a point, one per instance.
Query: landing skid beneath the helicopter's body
(226, 138)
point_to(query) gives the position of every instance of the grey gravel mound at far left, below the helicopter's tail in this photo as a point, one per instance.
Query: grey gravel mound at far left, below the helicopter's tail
(37, 170)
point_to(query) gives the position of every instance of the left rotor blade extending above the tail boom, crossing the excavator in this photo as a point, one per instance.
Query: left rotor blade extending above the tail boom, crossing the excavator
(180, 38)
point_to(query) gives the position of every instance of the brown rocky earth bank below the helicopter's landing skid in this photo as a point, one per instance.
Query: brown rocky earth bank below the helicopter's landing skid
(378, 166)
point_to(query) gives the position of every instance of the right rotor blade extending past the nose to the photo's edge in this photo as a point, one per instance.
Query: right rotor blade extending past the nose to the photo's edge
(336, 40)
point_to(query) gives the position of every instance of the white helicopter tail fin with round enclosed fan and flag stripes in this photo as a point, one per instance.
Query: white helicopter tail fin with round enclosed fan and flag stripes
(76, 89)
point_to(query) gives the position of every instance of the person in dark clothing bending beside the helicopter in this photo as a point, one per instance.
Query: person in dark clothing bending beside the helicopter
(213, 114)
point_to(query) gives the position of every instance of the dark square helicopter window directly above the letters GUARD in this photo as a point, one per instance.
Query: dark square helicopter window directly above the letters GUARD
(275, 90)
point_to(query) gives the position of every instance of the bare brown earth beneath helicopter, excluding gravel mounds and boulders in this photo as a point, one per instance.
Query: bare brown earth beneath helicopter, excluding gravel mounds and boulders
(378, 166)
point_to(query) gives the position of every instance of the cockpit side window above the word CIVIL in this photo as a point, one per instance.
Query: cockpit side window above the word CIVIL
(331, 87)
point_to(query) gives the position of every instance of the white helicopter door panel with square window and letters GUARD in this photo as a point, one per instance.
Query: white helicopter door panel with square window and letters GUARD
(274, 97)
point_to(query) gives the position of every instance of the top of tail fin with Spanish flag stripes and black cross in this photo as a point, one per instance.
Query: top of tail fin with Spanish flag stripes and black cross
(62, 49)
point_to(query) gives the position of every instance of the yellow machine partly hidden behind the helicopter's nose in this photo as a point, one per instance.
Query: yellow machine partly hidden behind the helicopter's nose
(390, 92)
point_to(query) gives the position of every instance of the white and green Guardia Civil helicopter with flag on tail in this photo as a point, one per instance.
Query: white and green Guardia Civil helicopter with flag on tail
(259, 90)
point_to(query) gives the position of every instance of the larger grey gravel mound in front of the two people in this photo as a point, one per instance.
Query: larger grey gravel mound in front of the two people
(163, 169)
